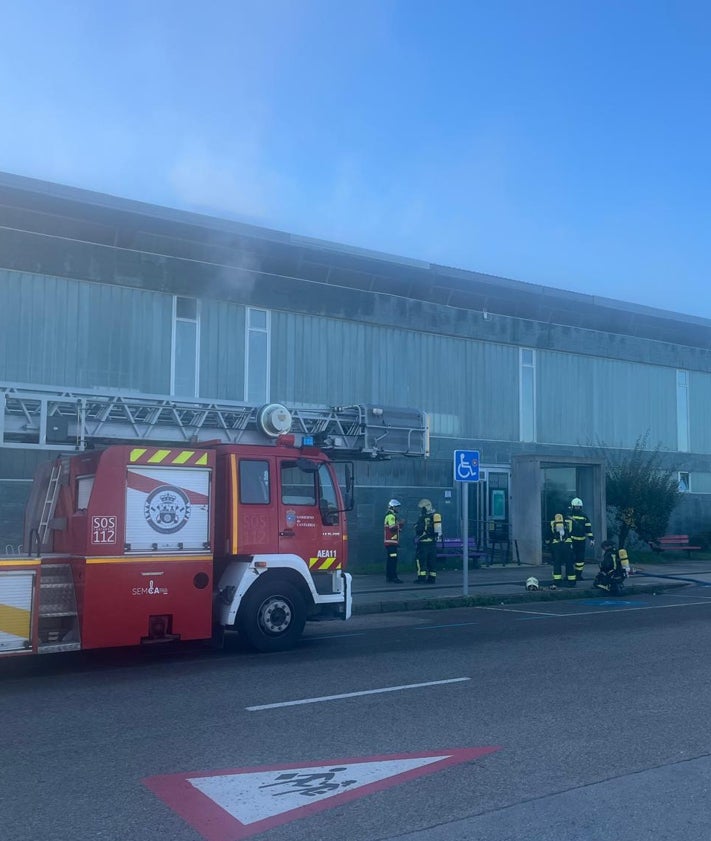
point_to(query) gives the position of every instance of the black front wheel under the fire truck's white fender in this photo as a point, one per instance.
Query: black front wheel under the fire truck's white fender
(272, 615)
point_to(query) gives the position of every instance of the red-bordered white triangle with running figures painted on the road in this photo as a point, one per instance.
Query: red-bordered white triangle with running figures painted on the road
(229, 805)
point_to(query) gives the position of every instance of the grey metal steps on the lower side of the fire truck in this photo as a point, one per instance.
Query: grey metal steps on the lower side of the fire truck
(58, 619)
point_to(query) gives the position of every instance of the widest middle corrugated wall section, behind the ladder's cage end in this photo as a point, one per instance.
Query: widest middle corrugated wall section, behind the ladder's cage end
(468, 386)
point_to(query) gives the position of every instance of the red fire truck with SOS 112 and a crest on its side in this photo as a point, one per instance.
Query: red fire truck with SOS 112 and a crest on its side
(141, 543)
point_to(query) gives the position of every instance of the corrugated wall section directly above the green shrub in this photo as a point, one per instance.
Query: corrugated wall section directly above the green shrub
(587, 401)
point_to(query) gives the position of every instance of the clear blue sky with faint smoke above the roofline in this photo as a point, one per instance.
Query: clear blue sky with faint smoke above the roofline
(557, 143)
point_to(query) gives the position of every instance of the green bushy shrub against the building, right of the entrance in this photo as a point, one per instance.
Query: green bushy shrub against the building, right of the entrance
(642, 492)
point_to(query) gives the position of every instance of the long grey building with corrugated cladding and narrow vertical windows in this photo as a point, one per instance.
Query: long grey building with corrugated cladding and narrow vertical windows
(103, 295)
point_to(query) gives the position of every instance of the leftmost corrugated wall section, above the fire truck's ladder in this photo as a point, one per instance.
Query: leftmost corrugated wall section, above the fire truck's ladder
(55, 331)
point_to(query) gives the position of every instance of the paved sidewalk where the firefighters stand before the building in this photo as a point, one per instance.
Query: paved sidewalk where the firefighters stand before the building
(371, 594)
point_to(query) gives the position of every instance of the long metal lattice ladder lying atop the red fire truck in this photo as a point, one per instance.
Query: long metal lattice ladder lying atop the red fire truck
(60, 419)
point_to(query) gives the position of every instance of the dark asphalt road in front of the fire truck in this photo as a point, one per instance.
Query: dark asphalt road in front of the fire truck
(598, 709)
